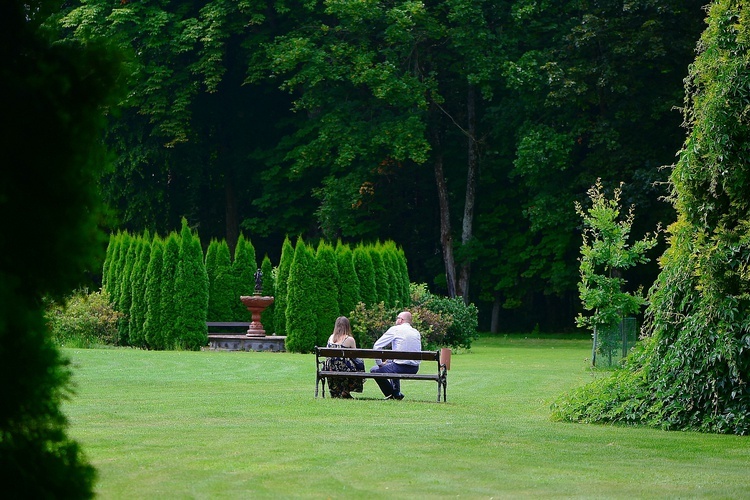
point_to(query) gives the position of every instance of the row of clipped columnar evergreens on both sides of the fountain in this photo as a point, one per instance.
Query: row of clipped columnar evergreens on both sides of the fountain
(166, 288)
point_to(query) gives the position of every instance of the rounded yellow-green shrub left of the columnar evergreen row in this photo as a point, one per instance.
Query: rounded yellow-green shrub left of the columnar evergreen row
(85, 320)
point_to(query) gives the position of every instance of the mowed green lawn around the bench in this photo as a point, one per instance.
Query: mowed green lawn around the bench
(247, 425)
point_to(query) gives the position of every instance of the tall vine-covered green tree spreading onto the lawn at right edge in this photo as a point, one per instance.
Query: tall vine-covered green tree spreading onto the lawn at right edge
(693, 368)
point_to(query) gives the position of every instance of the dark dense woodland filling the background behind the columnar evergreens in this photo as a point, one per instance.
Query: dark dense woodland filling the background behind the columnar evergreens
(462, 129)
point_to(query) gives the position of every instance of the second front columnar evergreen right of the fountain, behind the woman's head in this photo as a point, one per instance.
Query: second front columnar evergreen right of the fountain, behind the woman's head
(327, 288)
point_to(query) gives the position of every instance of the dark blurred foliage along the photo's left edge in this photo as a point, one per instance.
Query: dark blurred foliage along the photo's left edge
(52, 97)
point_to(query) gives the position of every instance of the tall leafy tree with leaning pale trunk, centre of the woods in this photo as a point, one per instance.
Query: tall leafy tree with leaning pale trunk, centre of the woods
(392, 83)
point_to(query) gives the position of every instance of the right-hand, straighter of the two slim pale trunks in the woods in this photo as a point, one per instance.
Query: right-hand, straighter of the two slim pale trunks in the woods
(471, 188)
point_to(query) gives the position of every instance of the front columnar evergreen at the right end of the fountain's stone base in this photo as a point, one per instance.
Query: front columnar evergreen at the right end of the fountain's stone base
(301, 311)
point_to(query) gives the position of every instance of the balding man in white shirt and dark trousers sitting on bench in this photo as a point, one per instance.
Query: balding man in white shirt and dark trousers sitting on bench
(400, 337)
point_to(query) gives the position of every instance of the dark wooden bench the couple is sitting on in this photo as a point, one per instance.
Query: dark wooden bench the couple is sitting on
(321, 353)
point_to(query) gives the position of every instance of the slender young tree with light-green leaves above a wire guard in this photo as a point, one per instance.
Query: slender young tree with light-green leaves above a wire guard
(605, 254)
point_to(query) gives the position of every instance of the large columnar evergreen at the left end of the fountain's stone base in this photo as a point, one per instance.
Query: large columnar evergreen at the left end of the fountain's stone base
(191, 292)
